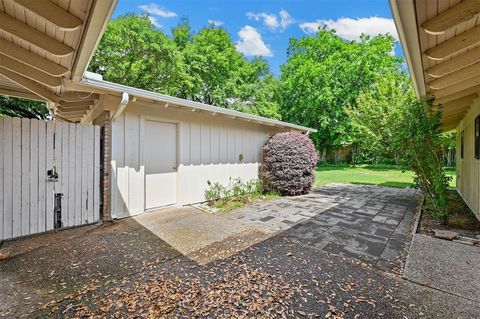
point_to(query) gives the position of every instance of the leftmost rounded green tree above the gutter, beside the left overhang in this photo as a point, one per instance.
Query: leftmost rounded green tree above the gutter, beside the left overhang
(133, 52)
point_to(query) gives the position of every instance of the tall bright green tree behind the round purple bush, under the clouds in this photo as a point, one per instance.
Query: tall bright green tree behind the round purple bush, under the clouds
(323, 76)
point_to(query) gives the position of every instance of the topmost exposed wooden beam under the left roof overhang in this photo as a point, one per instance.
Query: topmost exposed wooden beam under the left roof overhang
(53, 13)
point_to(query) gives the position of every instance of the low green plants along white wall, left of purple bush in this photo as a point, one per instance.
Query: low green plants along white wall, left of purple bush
(236, 194)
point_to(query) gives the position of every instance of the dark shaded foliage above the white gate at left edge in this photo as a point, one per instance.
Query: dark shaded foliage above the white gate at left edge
(16, 107)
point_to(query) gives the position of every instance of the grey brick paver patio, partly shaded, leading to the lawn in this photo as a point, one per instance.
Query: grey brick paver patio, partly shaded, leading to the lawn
(369, 222)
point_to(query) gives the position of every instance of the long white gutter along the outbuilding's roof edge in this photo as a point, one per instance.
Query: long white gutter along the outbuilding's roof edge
(94, 81)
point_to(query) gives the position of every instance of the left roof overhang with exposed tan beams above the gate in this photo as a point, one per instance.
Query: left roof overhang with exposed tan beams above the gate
(46, 43)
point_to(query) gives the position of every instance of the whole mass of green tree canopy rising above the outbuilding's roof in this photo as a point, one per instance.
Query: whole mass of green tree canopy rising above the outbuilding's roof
(203, 67)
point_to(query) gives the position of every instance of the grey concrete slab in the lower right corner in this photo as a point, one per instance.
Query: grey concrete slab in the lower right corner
(445, 265)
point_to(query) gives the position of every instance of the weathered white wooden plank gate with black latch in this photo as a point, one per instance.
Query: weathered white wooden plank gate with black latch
(29, 148)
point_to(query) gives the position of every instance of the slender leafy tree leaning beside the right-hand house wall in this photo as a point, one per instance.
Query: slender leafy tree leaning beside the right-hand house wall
(391, 122)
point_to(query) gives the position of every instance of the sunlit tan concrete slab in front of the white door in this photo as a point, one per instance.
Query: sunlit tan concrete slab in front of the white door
(188, 229)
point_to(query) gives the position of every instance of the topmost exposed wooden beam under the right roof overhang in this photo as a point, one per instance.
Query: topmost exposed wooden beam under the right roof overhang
(449, 18)
